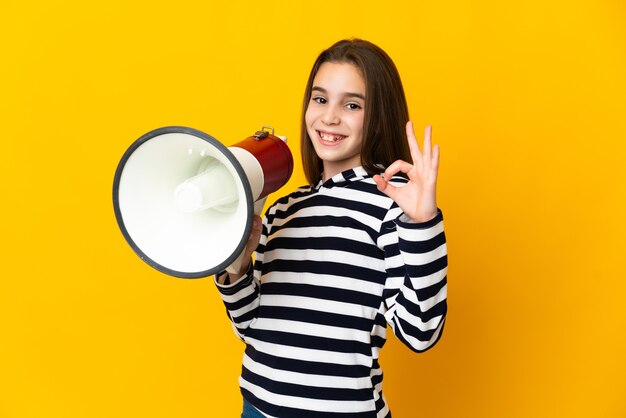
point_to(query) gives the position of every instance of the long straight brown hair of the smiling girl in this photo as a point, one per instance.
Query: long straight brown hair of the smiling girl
(386, 110)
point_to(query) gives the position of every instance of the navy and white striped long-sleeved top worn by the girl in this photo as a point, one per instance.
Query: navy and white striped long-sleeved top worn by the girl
(336, 263)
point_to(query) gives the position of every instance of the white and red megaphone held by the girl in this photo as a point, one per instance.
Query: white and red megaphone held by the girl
(185, 202)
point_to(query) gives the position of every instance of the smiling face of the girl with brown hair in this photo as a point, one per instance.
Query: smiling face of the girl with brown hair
(334, 116)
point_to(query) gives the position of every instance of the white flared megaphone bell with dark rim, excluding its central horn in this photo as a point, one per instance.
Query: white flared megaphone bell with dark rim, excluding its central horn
(180, 243)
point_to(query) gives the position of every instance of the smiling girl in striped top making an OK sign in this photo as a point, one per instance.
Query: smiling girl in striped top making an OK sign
(339, 260)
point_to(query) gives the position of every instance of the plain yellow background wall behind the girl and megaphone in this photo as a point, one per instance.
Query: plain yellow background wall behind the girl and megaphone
(528, 102)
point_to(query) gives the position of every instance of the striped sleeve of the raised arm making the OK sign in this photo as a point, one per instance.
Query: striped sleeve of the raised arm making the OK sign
(416, 287)
